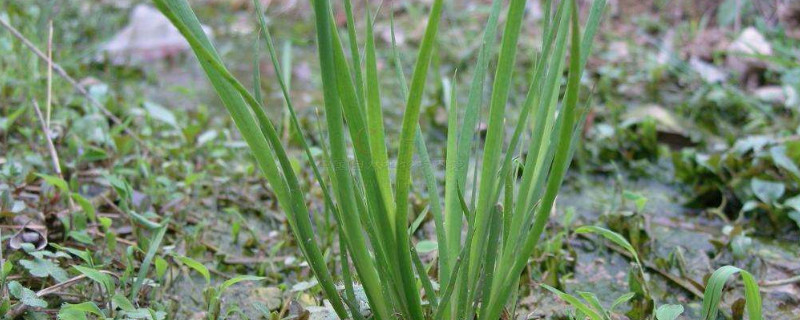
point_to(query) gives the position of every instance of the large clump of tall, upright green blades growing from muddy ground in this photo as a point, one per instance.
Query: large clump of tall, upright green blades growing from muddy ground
(478, 274)
